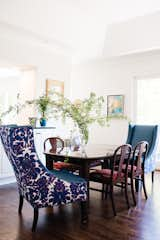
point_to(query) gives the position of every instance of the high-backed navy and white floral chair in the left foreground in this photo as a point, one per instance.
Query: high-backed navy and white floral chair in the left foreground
(39, 186)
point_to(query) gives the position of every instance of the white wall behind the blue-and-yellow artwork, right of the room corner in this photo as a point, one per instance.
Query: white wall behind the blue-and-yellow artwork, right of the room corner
(116, 76)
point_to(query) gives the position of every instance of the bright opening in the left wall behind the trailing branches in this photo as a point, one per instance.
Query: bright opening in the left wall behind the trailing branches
(17, 86)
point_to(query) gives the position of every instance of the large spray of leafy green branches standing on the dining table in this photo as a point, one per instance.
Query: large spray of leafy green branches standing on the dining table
(82, 112)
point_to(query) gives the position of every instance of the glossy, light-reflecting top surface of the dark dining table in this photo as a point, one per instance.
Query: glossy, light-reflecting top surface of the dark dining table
(91, 151)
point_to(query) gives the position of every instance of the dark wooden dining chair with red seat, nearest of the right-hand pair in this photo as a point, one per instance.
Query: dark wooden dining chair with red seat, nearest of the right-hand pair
(110, 177)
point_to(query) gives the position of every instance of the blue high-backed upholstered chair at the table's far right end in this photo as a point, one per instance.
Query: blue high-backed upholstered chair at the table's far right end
(149, 133)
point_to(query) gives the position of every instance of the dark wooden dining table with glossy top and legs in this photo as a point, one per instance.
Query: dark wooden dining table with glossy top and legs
(83, 158)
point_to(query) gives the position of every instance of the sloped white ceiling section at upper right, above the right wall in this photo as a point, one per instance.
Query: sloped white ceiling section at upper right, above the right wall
(138, 35)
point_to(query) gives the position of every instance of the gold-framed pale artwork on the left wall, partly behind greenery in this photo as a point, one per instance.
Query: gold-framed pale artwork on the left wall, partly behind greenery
(54, 85)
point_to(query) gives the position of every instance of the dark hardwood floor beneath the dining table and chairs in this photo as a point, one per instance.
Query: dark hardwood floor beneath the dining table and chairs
(63, 223)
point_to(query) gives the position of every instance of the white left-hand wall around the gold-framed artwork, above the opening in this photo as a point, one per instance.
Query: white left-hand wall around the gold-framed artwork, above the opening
(19, 48)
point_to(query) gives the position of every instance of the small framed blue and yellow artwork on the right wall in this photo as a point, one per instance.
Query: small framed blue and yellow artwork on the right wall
(115, 105)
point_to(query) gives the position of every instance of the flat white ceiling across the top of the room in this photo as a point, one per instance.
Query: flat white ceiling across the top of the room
(80, 25)
